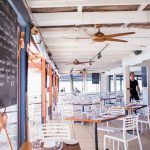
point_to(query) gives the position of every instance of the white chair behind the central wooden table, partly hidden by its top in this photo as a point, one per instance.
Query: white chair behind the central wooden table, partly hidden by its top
(114, 111)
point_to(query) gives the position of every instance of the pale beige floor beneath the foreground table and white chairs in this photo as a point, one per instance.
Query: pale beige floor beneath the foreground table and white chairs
(85, 135)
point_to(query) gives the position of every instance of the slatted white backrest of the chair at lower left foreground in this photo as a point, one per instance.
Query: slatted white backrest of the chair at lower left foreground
(55, 131)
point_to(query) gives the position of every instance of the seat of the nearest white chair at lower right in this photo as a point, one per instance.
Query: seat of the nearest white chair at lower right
(119, 136)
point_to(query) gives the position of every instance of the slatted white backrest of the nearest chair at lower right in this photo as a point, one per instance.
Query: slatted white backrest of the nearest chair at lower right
(130, 122)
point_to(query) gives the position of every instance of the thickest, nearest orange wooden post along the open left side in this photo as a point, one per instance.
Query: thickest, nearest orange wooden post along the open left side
(43, 91)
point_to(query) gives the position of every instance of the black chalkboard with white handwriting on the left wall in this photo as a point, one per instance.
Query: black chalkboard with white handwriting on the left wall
(8, 55)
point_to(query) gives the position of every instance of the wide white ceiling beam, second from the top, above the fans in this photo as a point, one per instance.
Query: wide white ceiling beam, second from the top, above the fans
(77, 18)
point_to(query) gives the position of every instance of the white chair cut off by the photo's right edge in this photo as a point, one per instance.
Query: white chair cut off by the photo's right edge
(145, 119)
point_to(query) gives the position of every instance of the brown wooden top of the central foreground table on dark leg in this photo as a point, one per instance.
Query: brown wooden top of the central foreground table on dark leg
(95, 120)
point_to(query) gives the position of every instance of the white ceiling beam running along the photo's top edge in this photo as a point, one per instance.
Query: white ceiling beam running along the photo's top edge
(65, 3)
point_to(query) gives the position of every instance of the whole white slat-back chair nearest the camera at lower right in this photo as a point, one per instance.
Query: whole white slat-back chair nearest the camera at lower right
(129, 123)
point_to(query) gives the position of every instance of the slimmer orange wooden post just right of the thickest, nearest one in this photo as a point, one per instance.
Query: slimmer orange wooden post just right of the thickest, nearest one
(50, 92)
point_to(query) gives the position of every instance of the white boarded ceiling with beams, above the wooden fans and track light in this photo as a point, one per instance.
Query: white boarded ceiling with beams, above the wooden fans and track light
(64, 44)
